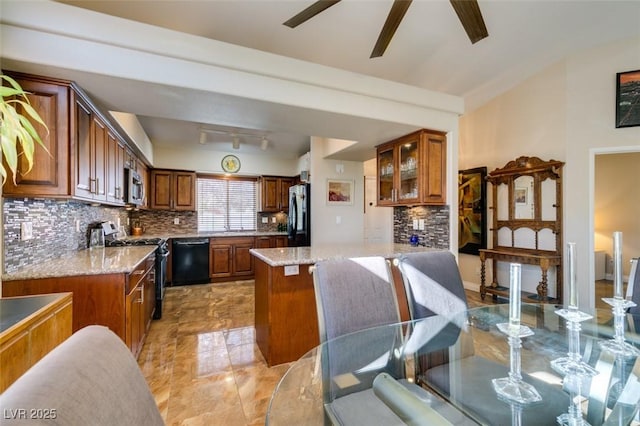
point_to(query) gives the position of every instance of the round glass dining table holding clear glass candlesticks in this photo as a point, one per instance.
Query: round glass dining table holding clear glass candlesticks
(454, 360)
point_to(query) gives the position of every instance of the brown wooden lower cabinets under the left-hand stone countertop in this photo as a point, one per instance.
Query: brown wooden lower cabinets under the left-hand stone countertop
(124, 302)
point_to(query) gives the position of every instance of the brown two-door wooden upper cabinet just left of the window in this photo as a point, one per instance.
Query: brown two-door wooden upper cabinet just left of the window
(173, 190)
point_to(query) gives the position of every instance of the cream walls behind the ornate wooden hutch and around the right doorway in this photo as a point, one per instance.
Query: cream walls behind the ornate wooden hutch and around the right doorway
(566, 112)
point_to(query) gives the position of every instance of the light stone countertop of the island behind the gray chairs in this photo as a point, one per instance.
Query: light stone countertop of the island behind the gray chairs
(310, 255)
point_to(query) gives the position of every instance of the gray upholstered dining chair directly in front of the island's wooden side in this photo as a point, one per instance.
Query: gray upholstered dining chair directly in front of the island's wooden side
(353, 295)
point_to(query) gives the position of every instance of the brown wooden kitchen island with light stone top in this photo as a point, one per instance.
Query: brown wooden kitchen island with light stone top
(286, 320)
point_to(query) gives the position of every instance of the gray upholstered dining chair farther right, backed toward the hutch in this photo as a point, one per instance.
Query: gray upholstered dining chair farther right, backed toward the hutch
(434, 286)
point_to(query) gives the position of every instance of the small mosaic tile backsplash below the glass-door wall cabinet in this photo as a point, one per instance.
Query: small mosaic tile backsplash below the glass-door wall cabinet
(436, 232)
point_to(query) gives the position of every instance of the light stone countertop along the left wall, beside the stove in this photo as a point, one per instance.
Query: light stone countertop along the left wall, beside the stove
(101, 261)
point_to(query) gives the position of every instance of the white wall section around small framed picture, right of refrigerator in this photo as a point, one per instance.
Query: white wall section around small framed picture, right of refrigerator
(324, 227)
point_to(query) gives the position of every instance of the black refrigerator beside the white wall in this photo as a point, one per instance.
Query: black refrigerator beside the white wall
(299, 221)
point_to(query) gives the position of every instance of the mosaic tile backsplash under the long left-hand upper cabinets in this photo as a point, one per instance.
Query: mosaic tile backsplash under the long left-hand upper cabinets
(54, 228)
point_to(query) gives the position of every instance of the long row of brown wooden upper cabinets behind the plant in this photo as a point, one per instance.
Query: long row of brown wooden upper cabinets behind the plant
(86, 155)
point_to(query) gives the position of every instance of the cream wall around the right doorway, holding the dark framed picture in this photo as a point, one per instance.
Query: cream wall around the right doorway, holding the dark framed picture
(590, 129)
